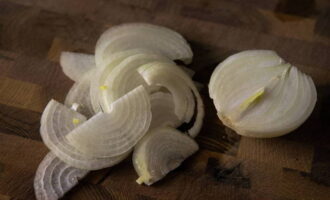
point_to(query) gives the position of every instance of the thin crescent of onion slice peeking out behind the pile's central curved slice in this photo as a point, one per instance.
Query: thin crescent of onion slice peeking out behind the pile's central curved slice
(98, 82)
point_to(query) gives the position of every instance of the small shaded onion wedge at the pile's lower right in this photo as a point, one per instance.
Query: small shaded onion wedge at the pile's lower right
(159, 152)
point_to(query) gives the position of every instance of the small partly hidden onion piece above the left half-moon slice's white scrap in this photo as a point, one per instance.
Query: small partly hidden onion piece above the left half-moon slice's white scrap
(80, 94)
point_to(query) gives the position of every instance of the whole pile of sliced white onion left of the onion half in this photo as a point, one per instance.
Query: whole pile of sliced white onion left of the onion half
(117, 106)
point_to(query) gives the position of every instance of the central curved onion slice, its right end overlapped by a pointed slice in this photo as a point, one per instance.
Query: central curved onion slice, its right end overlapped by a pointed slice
(124, 77)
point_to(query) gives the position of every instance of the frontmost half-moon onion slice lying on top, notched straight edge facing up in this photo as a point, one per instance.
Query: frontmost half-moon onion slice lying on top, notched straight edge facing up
(115, 133)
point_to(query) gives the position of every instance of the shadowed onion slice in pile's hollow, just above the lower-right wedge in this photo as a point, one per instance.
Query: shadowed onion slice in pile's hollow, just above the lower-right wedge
(162, 109)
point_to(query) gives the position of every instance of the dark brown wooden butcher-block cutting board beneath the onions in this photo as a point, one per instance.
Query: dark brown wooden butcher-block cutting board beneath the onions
(296, 166)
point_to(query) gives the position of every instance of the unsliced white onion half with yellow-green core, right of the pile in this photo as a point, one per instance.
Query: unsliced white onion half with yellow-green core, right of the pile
(275, 98)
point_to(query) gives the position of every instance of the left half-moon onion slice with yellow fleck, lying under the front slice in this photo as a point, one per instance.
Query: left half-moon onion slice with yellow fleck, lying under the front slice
(56, 122)
